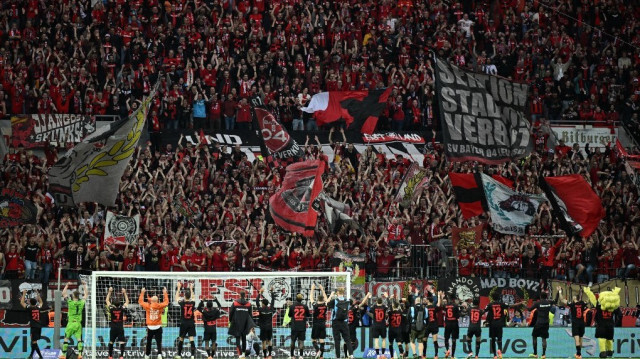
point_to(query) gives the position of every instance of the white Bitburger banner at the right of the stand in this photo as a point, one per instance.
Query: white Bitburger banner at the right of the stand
(594, 136)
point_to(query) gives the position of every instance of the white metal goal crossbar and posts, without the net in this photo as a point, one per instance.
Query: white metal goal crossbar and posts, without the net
(190, 276)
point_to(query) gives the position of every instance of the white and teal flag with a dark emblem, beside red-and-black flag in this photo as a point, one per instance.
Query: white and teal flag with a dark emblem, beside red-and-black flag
(510, 211)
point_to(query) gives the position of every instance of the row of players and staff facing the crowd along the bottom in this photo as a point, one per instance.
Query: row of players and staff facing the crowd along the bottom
(400, 327)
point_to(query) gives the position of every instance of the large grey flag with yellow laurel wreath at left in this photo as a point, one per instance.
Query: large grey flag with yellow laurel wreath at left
(91, 170)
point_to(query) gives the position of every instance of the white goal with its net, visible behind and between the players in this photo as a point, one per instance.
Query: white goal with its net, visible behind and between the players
(225, 286)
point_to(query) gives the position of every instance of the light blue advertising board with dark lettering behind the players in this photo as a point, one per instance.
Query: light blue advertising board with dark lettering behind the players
(14, 343)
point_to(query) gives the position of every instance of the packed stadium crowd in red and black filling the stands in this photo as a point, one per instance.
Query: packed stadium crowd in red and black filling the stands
(99, 58)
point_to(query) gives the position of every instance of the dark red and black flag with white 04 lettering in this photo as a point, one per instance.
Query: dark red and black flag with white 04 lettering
(275, 136)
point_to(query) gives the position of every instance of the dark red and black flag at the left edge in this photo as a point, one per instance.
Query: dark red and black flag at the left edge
(15, 209)
